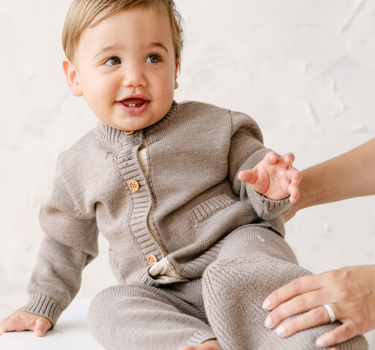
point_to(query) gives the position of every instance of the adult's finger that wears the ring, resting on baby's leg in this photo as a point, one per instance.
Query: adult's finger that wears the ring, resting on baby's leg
(308, 320)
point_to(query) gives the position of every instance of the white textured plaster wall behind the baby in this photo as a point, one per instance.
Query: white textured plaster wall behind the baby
(304, 69)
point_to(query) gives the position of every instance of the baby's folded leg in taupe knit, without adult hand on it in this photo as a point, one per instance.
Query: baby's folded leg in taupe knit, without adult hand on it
(145, 317)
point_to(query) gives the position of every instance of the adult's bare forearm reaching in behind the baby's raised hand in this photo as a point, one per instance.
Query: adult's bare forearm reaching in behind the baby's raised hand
(346, 176)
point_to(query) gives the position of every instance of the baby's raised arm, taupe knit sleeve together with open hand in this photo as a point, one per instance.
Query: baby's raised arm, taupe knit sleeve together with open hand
(246, 151)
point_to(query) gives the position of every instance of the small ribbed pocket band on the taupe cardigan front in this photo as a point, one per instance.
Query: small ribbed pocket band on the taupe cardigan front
(209, 207)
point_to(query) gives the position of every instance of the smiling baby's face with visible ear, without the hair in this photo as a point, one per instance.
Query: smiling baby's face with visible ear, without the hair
(126, 69)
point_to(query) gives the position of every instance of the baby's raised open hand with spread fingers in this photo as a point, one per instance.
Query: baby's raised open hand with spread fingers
(273, 178)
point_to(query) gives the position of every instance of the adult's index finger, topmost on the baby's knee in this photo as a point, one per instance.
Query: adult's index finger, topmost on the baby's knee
(296, 287)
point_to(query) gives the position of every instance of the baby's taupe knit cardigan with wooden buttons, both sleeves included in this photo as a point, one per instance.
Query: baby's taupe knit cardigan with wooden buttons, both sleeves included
(194, 155)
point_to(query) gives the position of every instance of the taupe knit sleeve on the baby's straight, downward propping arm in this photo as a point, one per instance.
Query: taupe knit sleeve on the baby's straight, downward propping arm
(70, 242)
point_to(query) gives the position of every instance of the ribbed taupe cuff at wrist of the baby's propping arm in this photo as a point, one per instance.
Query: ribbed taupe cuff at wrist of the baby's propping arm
(43, 305)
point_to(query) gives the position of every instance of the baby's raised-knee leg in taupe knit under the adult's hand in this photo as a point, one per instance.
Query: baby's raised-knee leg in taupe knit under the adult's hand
(253, 262)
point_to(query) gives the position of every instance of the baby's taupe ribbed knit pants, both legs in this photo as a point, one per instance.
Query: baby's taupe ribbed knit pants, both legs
(225, 304)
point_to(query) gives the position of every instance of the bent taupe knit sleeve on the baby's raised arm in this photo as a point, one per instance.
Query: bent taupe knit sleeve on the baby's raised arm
(246, 151)
